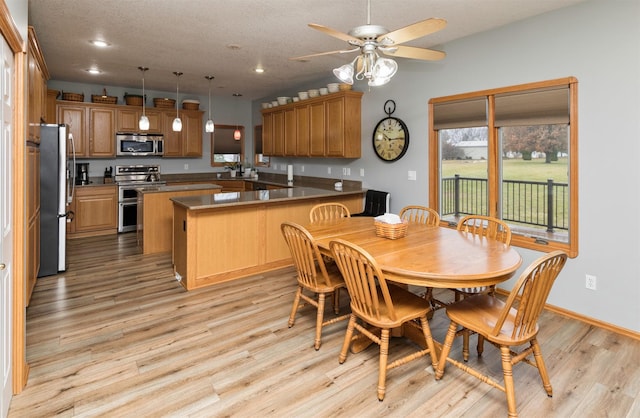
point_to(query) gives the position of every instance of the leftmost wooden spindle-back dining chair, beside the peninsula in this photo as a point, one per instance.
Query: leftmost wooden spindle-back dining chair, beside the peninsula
(313, 276)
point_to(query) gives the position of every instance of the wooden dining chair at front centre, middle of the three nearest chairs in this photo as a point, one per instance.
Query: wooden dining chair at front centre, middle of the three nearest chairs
(378, 304)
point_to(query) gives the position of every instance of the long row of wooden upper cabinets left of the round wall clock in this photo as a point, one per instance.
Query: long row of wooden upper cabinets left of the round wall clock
(325, 126)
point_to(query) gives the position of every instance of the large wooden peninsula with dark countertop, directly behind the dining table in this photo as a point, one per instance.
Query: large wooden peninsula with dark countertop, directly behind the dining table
(228, 236)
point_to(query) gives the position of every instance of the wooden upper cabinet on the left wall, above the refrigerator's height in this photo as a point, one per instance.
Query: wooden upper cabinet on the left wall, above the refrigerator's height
(37, 86)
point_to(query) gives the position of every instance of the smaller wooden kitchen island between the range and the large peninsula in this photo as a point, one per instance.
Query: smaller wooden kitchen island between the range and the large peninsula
(155, 213)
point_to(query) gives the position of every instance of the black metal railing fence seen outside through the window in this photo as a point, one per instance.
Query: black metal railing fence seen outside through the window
(544, 204)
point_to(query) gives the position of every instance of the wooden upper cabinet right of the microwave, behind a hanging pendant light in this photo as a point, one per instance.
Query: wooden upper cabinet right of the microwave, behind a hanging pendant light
(188, 142)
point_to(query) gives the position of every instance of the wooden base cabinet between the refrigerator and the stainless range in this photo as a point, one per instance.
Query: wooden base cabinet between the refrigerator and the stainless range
(96, 211)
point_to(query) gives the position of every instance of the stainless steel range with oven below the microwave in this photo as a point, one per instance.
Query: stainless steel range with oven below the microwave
(129, 178)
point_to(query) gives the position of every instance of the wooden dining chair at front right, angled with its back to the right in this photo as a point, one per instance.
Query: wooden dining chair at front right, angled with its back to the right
(507, 324)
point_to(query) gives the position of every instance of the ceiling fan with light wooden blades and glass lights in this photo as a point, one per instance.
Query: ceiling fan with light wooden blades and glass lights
(371, 40)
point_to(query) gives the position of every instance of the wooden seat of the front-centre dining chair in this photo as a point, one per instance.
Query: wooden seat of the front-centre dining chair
(407, 306)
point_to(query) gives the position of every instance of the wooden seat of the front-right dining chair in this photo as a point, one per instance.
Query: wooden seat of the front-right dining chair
(481, 313)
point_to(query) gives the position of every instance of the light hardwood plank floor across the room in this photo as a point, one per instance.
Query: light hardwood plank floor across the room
(116, 336)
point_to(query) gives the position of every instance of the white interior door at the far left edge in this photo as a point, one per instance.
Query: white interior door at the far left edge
(6, 231)
